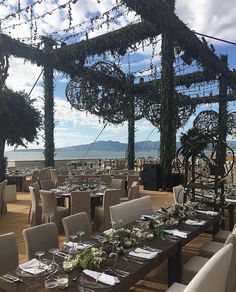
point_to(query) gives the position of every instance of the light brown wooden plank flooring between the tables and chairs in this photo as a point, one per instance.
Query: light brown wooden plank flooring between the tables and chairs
(16, 219)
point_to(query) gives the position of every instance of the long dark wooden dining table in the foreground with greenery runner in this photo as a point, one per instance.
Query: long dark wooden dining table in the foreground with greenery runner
(171, 250)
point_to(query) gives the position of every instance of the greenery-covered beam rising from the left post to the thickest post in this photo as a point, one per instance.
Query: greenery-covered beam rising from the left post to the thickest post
(117, 41)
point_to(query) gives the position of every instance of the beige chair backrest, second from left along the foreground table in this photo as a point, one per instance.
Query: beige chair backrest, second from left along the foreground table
(41, 237)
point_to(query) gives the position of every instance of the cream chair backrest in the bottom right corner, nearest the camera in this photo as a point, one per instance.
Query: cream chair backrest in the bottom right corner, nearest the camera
(213, 275)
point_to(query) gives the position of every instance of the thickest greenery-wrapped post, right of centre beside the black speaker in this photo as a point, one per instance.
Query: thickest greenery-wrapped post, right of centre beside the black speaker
(168, 106)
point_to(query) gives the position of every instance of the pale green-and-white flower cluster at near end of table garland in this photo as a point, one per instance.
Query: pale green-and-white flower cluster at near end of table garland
(90, 258)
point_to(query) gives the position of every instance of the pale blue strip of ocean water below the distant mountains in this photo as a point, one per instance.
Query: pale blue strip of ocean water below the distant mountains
(73, 155)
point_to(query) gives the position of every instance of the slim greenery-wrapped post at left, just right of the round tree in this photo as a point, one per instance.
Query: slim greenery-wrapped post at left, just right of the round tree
(49, 150)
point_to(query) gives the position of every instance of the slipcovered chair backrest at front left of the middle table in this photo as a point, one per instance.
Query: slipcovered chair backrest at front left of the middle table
(49, 206)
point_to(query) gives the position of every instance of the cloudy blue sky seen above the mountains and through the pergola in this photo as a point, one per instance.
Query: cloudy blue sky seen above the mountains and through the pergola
(212, 17)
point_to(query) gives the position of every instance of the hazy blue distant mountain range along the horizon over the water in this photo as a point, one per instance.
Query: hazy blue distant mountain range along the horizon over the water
(115, 146)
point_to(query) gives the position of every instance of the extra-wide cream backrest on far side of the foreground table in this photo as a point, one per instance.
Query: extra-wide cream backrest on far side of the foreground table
(130, 211)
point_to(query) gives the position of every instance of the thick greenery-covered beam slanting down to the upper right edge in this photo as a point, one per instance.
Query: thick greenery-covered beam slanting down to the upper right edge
(158, 12)
